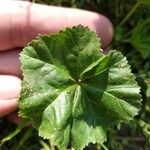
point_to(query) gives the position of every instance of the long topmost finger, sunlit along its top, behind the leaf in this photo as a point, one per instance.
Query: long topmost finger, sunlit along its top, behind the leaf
(22, 21)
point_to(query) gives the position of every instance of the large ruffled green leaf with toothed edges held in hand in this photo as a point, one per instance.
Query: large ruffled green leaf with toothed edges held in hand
(72, 92)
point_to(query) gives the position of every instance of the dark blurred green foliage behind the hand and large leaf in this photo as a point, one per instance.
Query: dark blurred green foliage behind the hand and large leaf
(131, 21)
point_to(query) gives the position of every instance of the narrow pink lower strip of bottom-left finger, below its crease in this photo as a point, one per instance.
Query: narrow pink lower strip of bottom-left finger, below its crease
(7, 106)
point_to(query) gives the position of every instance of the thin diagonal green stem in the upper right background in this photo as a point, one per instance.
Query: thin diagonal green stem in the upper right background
(129, 14)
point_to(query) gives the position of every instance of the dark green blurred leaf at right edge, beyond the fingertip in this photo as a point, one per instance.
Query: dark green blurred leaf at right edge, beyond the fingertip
(140, 38)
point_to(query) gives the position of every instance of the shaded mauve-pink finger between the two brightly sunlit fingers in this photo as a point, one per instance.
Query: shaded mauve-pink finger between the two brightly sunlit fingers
(9, 62)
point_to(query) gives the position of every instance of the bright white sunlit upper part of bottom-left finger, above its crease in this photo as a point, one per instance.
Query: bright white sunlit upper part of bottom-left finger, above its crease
(9, 87)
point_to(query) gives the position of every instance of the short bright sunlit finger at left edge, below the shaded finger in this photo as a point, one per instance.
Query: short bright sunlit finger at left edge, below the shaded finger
(9, 93)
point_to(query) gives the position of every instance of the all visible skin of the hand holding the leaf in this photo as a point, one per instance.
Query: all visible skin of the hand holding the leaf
(20, 23)
